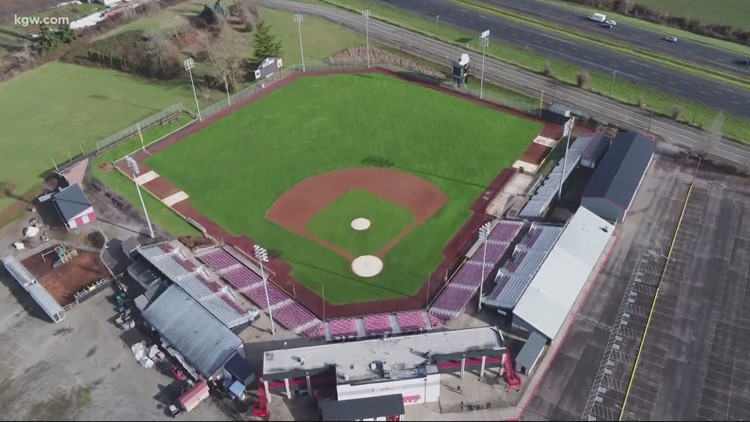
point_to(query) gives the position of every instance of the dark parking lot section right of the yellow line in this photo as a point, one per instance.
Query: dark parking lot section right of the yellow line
(694, 363)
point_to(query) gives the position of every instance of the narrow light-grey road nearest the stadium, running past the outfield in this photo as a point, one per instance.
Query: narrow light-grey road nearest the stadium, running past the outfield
(503, 74)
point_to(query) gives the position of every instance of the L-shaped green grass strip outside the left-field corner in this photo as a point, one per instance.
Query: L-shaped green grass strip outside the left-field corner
(159, 214)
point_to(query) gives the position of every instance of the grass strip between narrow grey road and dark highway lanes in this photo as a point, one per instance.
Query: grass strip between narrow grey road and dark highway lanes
(626, 92)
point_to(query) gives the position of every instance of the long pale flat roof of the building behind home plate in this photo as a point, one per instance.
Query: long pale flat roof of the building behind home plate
(352, 359)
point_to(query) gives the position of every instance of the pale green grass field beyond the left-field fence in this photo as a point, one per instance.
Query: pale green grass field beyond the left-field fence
(59, 108)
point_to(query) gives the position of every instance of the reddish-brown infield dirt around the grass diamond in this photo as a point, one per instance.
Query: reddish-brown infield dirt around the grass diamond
(295, 208)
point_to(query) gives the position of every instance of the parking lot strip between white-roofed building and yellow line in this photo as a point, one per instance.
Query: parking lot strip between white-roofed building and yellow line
(593, 354)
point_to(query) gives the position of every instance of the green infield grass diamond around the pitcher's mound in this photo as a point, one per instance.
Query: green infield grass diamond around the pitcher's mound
(387, 220)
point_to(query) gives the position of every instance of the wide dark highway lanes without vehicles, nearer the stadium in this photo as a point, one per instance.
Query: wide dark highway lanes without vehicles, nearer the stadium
(586, 54)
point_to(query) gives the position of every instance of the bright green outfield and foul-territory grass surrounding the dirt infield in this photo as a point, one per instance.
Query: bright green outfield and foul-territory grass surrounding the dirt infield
(240, 165)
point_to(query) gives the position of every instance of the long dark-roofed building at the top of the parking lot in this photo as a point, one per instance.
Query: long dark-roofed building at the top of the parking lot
(618, 176)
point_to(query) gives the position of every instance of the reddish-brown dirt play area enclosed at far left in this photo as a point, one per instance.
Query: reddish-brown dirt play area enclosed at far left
(67, 279)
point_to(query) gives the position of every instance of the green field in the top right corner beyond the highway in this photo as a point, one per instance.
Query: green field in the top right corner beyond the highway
(727, 12)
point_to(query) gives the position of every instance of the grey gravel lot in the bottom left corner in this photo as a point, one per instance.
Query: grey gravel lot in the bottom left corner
(77, 369)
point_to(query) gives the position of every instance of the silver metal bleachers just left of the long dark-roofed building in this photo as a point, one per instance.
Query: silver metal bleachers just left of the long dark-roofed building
(538, 204)
